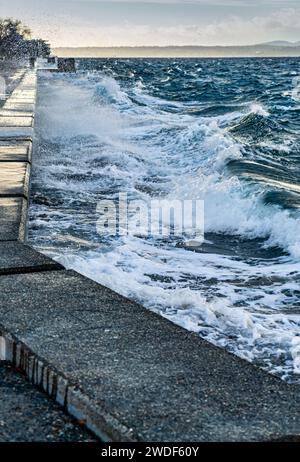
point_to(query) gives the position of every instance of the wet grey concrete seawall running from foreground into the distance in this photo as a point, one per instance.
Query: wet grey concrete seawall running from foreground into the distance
(129, 374)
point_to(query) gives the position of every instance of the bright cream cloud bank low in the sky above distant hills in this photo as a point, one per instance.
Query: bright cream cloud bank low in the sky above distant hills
(233, 30)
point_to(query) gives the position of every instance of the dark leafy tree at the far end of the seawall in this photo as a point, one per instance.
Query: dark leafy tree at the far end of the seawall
(15, 41)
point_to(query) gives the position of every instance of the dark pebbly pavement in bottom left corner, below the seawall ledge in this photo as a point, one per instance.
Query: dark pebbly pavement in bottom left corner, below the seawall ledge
(28, 415)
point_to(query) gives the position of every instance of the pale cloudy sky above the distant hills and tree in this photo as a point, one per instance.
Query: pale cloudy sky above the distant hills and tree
(85, 23)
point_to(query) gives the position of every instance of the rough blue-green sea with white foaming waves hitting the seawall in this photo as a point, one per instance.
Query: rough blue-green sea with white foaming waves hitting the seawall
(225, 131)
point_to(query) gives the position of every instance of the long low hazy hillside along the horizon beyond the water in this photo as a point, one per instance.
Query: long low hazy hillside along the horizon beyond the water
(275, 49)
